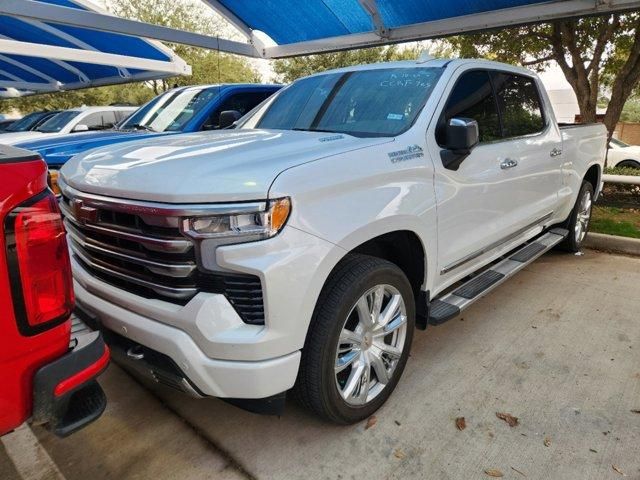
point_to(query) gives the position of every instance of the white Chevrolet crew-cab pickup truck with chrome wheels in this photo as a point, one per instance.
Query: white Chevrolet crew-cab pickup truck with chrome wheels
(301, 249)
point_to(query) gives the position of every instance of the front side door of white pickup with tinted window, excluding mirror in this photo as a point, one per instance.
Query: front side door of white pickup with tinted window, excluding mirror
(472, 200)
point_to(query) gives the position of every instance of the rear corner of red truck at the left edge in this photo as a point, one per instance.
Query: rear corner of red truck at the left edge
(47, 374)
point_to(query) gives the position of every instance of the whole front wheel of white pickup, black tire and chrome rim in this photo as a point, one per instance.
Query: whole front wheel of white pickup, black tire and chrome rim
(348, 293)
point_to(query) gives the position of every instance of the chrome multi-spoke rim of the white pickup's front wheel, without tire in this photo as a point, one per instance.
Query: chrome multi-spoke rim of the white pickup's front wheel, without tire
(371, 343)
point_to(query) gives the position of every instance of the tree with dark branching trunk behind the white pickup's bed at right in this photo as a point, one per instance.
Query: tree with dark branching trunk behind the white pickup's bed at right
(594, 53)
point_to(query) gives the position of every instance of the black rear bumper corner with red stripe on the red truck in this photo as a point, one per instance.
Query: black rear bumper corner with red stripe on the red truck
(67, 396)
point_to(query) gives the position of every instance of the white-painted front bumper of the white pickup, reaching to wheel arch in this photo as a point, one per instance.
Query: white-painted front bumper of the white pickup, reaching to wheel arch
(218, 354)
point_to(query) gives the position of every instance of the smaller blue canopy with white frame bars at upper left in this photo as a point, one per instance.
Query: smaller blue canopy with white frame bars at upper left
(38, 56)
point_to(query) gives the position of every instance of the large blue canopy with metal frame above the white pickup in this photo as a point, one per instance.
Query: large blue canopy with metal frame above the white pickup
(298, 27)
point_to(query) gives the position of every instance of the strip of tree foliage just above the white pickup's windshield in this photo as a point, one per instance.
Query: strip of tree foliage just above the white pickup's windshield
(291, 68)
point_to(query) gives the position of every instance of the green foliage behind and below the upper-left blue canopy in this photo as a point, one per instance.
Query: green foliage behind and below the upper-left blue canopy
(208, 66)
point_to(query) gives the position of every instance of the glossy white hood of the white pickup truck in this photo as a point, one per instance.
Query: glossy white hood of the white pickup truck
(229, 166)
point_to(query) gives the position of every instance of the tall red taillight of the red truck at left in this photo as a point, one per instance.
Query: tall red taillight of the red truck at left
(38, 258)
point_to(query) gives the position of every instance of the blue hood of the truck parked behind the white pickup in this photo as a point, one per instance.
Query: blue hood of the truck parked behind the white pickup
(58, 149)
